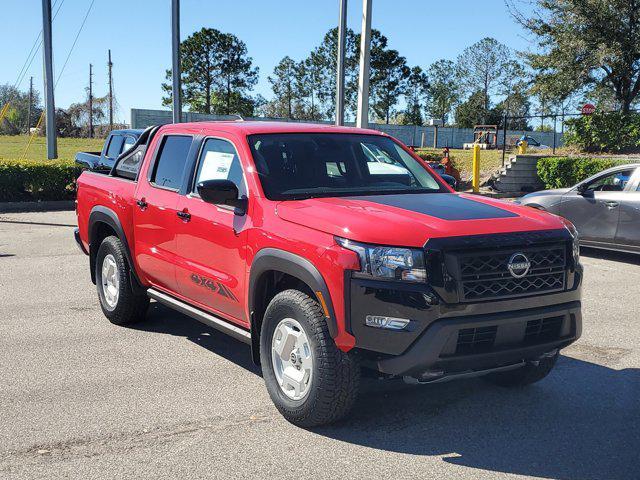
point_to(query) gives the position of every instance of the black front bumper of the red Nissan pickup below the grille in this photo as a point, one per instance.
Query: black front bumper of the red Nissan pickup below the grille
(445, 340)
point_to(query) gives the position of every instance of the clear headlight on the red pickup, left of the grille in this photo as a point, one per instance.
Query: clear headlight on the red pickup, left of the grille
(394, 263)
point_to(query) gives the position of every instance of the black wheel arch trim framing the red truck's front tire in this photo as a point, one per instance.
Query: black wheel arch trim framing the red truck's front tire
(269, 262)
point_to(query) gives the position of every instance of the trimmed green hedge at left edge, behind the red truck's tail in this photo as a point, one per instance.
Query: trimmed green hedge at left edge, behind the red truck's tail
(41, 180)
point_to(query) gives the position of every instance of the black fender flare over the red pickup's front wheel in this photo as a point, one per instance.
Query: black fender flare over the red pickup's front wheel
(296, 266)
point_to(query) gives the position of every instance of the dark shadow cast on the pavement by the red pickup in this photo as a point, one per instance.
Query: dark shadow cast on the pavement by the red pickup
(581, 422)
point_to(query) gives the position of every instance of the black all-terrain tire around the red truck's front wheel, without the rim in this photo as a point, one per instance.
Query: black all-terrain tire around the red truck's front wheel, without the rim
(334, 385)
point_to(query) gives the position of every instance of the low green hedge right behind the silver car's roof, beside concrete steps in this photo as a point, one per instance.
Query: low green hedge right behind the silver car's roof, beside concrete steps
(561, 172)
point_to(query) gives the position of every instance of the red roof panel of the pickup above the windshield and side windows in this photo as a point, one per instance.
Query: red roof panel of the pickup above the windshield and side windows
(258, 127)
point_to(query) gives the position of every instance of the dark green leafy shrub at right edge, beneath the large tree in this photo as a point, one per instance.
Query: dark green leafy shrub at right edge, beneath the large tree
(604, 132)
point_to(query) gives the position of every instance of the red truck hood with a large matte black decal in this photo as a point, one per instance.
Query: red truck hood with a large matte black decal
(412, 219)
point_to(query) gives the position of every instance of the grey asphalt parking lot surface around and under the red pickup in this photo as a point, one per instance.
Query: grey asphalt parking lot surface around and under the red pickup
(171, 398)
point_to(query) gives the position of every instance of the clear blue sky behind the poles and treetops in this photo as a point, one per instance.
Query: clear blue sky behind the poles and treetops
(138, 34)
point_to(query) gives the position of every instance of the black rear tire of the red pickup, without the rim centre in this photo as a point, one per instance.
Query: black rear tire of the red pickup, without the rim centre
(130, 307)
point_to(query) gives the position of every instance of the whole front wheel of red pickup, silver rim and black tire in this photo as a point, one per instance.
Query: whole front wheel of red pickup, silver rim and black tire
(310, 381)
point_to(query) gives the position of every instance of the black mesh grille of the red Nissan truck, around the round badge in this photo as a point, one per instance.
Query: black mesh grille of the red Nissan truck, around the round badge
(485, 275)
